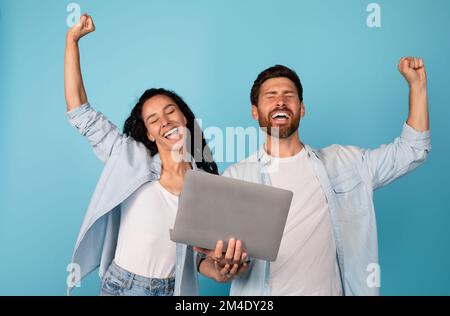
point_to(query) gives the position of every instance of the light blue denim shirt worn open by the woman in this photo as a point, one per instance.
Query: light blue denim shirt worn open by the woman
(128, 165)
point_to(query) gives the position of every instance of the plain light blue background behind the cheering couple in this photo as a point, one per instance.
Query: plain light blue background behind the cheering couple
(210, 52)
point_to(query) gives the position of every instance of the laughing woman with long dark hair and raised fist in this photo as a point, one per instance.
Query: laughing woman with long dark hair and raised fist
(126, 228)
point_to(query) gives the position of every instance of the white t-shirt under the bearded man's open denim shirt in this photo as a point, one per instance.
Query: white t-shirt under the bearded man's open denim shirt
(306, 263)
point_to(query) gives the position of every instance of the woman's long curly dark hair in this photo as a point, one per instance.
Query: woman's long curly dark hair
(135, 127)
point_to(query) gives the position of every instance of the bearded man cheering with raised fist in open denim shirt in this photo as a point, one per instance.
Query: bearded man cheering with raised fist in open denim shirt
(330, 239)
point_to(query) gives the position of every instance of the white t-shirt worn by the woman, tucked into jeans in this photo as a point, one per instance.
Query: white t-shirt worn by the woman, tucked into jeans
(144, 246)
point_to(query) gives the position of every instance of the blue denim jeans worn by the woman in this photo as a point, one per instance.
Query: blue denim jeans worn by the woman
(119, 282)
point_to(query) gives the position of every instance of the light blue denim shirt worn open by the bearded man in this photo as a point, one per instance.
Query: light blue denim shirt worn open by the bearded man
(348, 176)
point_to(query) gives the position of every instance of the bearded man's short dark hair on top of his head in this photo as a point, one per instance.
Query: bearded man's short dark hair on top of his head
(278, 71)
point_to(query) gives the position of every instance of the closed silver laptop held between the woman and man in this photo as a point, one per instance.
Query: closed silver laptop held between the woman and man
(213, 208)
